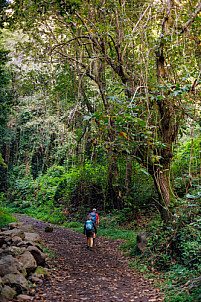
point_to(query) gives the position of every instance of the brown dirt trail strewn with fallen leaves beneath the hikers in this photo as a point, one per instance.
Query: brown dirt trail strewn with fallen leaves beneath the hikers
(78, 274)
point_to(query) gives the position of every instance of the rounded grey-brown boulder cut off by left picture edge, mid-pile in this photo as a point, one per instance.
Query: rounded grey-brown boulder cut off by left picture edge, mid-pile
(8, 264)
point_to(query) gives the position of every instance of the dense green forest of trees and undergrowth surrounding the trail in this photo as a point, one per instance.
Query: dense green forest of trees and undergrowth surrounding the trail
(100, 107)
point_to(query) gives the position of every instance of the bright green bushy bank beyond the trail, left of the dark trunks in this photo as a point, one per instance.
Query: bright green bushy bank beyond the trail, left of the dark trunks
(47, 195)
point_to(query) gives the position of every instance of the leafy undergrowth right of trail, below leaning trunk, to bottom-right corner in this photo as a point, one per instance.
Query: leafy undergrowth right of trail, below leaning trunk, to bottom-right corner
(173, 253)
